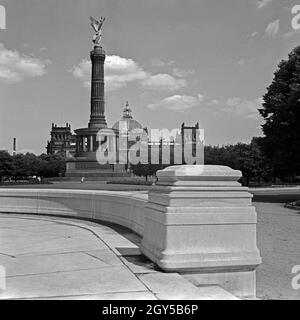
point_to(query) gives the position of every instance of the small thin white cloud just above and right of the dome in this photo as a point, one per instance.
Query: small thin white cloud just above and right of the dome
(178, 103)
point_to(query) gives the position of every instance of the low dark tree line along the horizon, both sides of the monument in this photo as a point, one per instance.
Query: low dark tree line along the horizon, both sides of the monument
(248, 158)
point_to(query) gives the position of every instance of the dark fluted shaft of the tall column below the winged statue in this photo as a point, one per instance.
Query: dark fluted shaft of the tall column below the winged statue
(97, 119)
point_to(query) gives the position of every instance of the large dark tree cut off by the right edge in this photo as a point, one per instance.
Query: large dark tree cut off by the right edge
(281, 112)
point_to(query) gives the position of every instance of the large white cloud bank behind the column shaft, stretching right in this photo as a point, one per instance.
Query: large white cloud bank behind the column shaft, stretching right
(121, 71)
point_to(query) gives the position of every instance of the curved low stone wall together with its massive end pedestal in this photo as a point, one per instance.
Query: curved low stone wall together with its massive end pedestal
(197, 221)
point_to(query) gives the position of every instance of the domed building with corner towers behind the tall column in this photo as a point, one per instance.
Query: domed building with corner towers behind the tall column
(64, 142)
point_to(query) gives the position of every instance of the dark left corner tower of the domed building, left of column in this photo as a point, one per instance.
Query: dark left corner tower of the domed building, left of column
(62, 141)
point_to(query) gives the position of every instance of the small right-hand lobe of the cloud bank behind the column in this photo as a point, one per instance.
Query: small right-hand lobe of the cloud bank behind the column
(163, 82)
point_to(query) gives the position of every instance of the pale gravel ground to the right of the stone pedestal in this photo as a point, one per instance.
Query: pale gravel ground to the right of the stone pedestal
(278, 236)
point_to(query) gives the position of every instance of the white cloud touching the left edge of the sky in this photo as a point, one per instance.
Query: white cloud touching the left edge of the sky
(14, 67)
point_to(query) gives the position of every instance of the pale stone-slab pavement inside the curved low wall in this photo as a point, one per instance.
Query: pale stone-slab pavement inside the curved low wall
(56, 258)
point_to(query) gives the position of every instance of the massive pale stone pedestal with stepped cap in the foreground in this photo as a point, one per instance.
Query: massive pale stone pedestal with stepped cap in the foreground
(200, 222)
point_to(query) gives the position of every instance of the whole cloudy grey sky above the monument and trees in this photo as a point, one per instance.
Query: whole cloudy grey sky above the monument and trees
(206, 61)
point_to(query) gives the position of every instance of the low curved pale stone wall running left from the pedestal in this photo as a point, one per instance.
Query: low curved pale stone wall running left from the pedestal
(123, 208)
